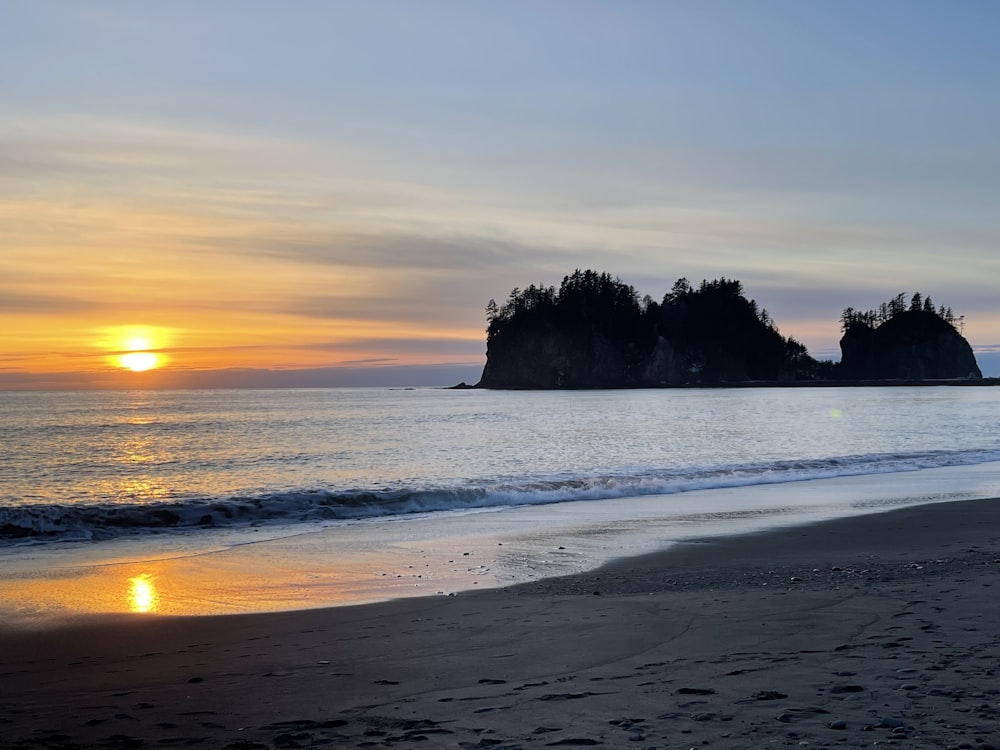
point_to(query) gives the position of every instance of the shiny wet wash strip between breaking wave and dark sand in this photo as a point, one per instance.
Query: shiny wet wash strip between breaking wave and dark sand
(435, 554)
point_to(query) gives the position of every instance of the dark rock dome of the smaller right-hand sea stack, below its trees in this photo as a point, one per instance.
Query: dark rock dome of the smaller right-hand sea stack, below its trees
(914, 345)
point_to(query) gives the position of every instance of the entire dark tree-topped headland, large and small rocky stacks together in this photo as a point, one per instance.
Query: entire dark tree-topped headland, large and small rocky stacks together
(594, 331)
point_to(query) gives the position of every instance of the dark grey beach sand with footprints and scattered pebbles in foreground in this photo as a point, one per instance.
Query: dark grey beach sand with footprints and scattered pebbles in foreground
(881, 629)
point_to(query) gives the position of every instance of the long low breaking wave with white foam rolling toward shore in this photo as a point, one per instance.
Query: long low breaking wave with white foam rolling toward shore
(41, 523)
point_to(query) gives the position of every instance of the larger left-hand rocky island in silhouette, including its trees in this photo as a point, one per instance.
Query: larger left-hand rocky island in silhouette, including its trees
(594, 332)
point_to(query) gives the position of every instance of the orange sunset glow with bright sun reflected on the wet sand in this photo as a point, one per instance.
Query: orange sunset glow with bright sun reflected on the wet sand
(247, 578)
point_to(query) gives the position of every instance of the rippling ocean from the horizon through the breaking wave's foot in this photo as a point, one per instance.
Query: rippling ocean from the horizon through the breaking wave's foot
(98, 465)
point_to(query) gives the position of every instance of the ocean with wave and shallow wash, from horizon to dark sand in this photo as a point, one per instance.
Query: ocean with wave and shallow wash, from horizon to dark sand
(348, 489)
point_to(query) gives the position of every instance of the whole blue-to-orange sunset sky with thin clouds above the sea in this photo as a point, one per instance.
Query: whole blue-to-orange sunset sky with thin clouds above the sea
(330, 193)
